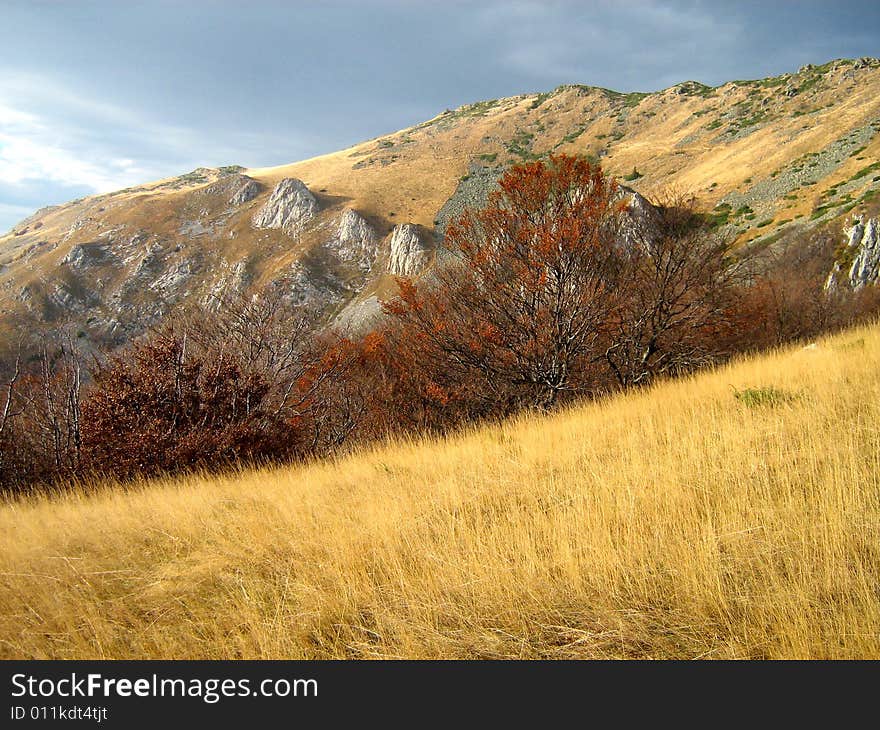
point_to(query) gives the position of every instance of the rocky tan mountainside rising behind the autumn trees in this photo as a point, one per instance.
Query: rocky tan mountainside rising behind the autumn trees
(771, 159)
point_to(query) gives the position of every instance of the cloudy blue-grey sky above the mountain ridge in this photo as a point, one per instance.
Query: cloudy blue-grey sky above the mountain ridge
(97, 95)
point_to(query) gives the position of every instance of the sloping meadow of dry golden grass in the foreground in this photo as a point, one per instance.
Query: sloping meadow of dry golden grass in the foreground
(677, 522)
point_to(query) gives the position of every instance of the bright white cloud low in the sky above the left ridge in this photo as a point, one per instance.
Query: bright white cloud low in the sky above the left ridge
(57, 143)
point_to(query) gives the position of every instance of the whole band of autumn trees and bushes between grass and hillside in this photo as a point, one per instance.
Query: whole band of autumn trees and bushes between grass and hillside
(555, 290)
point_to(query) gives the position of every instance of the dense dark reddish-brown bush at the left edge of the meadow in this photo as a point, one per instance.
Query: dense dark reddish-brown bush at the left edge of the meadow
(158, 407)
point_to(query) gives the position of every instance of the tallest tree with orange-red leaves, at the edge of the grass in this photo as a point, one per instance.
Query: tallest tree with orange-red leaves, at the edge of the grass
(522, 310)
